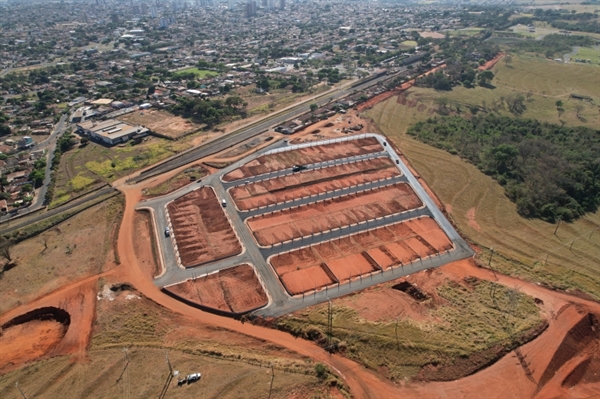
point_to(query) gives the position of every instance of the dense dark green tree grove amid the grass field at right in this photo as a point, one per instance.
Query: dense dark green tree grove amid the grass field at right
(550, 171)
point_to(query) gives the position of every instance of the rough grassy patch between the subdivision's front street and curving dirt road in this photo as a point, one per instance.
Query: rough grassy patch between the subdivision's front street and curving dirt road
(457, 321)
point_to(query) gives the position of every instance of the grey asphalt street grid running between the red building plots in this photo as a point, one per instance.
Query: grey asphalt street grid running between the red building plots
(280, 302)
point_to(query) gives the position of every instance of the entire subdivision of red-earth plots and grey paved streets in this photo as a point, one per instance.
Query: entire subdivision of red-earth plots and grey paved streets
(299, 224)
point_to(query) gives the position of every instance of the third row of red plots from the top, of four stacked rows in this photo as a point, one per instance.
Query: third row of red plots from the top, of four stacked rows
(269, 229)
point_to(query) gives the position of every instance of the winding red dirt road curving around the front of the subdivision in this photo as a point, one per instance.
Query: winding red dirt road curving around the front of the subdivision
(506, 378)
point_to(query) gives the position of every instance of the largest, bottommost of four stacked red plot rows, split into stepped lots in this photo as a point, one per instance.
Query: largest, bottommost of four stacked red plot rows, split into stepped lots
(360, 254)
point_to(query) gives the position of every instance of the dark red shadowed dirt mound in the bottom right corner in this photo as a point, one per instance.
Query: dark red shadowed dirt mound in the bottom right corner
(579, 339)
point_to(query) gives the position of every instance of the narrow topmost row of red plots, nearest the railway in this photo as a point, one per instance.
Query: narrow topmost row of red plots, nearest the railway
(301, 156)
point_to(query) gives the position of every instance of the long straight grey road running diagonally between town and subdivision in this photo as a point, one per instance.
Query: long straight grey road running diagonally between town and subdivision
(246, 133)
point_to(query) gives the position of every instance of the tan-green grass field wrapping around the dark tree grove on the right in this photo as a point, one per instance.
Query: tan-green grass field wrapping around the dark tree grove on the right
(477, 204)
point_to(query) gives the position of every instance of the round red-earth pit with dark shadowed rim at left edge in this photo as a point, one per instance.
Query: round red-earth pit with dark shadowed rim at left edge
(31, 335)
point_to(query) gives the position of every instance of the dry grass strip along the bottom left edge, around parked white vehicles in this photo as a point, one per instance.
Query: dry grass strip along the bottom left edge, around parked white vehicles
(146, 375)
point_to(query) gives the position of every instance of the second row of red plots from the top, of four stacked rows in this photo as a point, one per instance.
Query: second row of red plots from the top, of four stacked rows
(310, 182)
